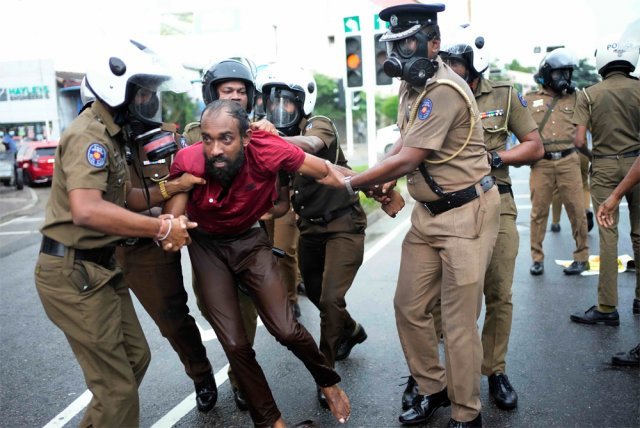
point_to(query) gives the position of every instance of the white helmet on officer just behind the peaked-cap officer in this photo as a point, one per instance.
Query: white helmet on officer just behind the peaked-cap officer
(466, 45)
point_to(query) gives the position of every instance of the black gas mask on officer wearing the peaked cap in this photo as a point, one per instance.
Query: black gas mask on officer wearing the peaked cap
(403, 59)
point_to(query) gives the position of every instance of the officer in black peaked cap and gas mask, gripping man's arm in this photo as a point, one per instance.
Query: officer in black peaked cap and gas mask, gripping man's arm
(454, 224)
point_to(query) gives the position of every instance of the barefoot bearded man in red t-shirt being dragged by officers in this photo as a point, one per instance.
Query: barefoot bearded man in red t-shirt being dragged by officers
(241, 168)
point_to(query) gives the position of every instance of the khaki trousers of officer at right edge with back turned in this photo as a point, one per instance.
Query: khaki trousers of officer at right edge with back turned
(605, 176)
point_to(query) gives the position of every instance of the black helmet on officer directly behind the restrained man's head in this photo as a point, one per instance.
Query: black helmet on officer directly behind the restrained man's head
(225, 71)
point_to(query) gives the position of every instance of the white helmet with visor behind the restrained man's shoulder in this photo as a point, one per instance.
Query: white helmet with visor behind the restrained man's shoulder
(283, 87)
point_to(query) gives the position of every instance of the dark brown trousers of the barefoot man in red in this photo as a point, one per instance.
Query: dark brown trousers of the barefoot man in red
(219, 263)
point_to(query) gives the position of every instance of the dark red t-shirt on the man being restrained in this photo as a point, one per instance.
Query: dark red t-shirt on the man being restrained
(252, 192)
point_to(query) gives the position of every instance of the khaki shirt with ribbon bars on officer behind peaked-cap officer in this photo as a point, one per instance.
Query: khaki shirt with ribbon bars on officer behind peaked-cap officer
(502, 110)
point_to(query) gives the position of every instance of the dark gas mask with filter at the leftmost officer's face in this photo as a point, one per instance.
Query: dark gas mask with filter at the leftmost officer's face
(143, 125)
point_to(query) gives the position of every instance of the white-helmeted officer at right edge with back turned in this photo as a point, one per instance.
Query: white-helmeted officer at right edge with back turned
(610, 108)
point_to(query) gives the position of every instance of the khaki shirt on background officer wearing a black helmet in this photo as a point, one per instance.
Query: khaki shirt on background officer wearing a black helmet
(559, 131)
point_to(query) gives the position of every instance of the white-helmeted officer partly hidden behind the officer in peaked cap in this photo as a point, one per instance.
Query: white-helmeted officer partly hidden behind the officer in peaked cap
(502, 110)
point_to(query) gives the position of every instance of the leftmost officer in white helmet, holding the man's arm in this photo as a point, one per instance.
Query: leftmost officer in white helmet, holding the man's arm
(79, 283)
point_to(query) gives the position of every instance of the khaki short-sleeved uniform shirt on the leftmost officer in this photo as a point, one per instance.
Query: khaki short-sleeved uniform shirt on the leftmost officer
(89, 156)
